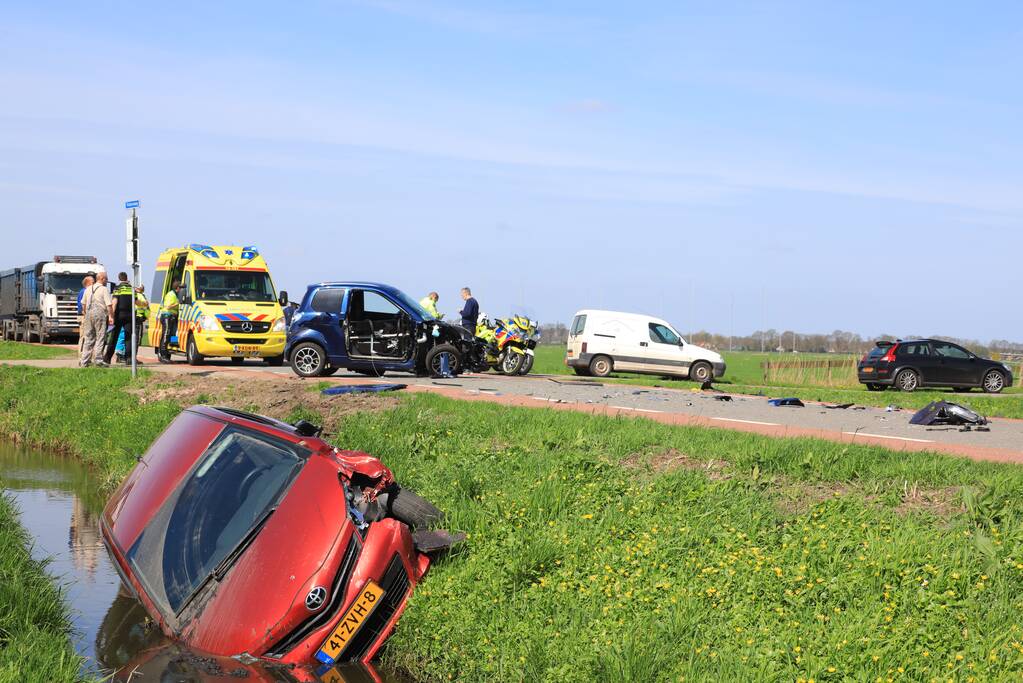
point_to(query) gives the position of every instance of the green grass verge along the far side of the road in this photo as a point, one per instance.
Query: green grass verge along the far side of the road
(744, 376)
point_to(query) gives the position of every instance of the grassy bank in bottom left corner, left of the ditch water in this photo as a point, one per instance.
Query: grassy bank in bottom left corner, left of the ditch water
(34, 622)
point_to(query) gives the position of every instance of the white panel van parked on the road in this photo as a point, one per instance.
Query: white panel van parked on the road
(601, 342)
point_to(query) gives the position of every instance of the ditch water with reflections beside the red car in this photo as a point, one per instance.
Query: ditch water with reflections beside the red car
(61, 509)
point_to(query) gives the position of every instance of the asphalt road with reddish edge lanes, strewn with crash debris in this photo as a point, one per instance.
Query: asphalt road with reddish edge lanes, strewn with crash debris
(1003, 441)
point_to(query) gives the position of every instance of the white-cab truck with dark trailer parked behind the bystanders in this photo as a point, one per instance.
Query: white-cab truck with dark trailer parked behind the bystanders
(39, 302)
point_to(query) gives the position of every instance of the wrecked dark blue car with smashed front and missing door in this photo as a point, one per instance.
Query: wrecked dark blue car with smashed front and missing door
(371, 329)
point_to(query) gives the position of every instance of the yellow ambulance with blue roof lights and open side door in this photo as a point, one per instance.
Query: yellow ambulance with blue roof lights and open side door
(229, 305)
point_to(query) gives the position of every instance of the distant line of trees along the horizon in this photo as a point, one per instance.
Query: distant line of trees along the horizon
(839, 342)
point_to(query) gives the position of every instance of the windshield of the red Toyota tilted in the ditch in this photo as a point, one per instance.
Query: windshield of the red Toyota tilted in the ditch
(214, 515)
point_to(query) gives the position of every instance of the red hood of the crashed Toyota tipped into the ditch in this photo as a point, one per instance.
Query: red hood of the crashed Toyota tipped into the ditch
(262, 598)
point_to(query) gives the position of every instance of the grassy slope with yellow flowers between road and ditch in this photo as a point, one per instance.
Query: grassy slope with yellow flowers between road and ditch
(621, 550)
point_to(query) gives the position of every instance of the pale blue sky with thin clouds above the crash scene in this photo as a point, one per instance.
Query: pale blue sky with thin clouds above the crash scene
(813, 166)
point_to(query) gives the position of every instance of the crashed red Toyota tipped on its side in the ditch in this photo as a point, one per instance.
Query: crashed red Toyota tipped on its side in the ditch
(244, 536)
